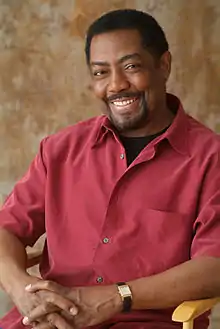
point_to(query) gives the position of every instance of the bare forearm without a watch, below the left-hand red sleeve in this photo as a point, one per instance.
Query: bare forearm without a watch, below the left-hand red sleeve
(13, 260)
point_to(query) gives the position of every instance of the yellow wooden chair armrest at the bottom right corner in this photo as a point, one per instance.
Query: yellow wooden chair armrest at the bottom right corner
(188, 311)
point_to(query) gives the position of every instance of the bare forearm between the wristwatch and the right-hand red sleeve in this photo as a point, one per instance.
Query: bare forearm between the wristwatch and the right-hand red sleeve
(192, 280)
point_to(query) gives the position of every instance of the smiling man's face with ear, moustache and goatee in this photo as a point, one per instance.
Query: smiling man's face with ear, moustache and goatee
(127, 78)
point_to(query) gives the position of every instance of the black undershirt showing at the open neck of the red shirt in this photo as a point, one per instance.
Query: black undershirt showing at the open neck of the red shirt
(134, 145)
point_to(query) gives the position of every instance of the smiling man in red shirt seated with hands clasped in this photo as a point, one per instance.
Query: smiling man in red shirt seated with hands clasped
(132, 196)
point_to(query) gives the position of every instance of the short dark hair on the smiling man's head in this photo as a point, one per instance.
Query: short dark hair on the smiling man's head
(152, 34)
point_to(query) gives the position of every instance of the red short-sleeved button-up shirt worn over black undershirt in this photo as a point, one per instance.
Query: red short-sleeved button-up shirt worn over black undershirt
(106, 222)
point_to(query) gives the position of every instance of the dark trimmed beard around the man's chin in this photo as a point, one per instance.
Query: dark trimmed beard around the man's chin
(131, 120)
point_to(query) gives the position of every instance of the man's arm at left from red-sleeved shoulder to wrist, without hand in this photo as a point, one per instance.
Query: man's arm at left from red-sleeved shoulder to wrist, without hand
(22, 222)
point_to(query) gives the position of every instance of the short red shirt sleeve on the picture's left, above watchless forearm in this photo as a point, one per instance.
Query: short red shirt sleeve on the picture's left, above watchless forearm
(23, 213)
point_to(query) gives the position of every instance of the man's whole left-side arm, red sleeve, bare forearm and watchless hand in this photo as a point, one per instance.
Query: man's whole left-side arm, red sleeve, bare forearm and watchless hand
(22, 222)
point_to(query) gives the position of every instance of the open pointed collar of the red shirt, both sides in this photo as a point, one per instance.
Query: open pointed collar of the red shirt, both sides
(176, 134)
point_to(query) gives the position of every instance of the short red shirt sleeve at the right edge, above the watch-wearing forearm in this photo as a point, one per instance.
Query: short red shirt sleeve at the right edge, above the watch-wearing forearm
(206, 241)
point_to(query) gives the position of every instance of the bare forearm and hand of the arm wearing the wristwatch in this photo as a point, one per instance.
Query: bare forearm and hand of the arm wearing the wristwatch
(190, 280)
